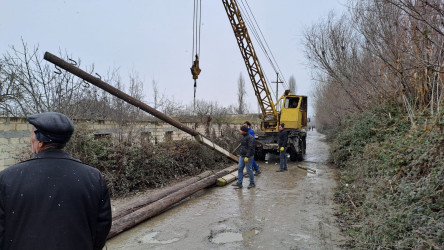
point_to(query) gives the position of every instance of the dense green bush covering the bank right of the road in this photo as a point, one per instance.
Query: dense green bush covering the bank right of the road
(394, 195)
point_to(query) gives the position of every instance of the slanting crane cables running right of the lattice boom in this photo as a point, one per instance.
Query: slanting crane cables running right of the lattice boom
(262, 44)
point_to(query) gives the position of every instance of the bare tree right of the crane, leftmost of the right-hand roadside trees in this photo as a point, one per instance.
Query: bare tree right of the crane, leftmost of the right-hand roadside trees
(332, 49)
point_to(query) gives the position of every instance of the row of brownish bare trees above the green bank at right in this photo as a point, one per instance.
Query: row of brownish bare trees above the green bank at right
(384, 50)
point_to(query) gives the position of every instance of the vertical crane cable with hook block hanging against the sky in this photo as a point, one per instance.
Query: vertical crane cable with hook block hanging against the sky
(195, 70)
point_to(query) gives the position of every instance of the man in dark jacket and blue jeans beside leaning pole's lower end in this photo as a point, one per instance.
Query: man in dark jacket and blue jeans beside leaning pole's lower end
(246, 158)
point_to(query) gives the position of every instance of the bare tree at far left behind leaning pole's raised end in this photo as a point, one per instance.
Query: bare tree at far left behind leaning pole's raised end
(28, 85)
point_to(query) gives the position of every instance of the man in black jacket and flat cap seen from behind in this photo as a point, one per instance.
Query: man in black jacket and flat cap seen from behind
(53, 201)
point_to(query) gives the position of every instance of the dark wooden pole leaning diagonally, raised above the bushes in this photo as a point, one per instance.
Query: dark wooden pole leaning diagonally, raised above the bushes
(133, 101)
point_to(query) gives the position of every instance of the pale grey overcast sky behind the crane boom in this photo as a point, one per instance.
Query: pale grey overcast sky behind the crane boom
(154, 39)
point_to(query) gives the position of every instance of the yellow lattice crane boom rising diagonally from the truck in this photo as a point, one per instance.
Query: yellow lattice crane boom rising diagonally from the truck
(269, 112)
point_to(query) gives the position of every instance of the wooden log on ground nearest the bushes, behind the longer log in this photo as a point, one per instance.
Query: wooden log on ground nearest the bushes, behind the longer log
(157, 195)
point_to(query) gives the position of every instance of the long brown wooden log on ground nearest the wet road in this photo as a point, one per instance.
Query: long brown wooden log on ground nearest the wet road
(132, 219)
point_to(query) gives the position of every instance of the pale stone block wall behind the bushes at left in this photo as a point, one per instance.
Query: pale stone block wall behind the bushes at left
(15, 136)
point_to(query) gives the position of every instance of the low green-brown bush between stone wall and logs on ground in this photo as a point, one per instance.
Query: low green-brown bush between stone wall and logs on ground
(130, 167)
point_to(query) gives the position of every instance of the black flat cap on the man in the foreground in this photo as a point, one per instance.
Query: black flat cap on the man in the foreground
(52, 127)
